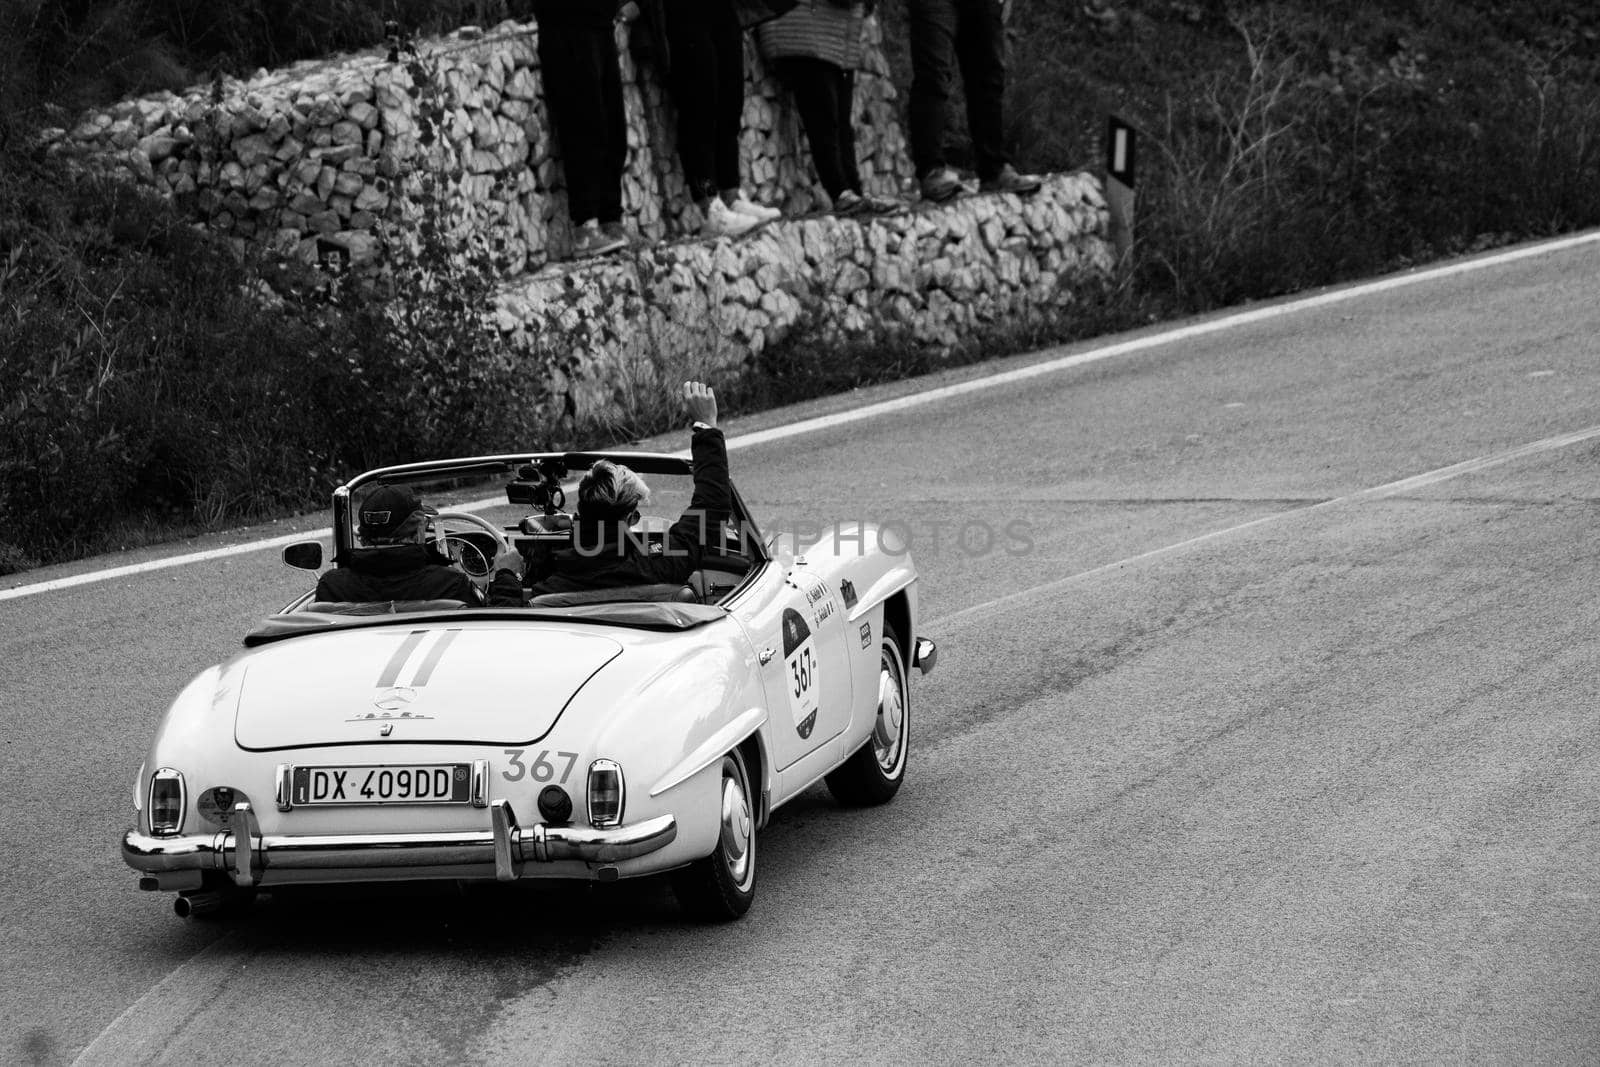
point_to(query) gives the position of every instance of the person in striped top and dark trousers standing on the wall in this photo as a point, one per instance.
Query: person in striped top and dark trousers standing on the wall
(815, 50)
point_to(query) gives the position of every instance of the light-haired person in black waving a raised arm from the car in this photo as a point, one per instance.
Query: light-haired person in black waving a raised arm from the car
(607, 553)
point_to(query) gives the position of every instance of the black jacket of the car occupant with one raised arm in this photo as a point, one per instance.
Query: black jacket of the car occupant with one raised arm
(609, 556)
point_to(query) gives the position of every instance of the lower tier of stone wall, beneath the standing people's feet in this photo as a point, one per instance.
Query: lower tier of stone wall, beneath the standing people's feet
(703, 310)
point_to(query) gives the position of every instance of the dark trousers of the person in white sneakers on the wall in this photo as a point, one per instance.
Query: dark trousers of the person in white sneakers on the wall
(706, 49)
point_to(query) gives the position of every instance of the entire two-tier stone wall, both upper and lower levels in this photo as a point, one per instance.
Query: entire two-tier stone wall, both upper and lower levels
(343, 159)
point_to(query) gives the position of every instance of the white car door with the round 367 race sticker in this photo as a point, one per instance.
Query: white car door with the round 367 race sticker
(798, 626)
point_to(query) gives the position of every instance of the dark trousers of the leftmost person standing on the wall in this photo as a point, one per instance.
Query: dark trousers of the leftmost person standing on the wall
(583, 92)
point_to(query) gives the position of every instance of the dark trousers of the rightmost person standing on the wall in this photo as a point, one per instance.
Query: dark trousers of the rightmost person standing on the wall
(948, 36)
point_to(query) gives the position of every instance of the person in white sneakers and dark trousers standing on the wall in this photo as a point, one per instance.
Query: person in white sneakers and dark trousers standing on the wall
(705, 70)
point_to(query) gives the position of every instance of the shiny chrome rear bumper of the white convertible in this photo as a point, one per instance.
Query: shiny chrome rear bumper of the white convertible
(254, 858)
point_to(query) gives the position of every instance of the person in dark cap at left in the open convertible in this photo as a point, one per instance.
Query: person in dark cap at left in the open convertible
(396, 561)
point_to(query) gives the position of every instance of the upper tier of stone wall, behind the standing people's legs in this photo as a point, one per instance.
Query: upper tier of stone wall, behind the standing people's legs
(319, 156)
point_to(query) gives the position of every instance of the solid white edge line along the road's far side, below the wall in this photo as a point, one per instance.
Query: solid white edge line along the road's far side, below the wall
(932, 396)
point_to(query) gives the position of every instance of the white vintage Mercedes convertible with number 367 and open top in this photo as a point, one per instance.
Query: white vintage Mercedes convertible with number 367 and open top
(593, 737)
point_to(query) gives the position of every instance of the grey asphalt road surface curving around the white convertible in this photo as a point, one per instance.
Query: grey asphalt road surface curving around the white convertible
(1241, 748)
